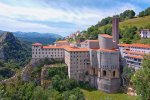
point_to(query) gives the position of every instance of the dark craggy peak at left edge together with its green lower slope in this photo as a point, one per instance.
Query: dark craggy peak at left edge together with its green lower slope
(14, 54)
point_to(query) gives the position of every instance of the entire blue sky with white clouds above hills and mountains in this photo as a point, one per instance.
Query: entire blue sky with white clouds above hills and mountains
(61, 16)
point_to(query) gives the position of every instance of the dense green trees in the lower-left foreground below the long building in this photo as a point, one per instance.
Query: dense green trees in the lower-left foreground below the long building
(60, 87)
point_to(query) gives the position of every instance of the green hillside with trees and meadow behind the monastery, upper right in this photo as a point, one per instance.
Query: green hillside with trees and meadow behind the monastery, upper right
(129, 27)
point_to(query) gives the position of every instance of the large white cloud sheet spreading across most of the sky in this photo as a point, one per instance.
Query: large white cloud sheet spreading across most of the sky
(81, 17)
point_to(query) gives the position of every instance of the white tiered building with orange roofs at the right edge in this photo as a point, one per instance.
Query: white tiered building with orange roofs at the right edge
(132, 54)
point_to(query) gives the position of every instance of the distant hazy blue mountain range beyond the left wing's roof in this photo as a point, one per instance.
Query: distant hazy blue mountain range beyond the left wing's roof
(44, 38)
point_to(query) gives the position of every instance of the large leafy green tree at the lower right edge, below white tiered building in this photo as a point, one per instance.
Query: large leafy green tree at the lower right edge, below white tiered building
(141, 79)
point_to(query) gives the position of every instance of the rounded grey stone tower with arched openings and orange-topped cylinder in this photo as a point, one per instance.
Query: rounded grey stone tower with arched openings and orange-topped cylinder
(108, 64)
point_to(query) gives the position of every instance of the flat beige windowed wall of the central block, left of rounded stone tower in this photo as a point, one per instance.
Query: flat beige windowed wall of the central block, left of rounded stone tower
(77, 64)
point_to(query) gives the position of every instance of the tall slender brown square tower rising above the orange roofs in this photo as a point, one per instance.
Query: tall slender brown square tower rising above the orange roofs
(115, 31)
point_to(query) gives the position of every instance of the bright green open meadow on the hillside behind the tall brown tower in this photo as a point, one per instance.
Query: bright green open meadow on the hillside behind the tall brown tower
(138, 22)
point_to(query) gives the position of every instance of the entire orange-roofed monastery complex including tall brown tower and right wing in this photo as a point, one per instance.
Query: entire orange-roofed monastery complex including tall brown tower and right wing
(95, 61)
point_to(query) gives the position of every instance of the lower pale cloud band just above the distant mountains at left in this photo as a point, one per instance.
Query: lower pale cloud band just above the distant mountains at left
(12, 25)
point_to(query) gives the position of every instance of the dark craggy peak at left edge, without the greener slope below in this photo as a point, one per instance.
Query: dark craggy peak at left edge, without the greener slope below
(13, 49)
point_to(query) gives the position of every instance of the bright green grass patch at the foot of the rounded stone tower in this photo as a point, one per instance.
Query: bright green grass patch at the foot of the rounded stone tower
(99, 95)
